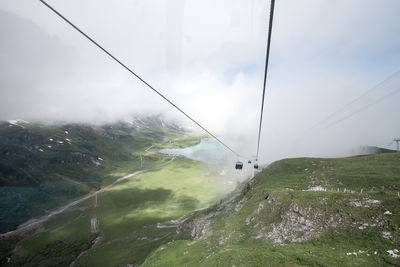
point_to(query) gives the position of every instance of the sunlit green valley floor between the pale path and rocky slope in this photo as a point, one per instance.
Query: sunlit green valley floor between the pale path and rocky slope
(134, 218)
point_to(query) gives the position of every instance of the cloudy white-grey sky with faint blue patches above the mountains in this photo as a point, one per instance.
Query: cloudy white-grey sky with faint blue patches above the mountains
(208, 57)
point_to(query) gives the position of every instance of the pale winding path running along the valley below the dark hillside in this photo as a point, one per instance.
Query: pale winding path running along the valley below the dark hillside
(35, 222)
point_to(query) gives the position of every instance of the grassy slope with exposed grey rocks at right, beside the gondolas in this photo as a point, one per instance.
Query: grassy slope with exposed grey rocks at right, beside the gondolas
(353, 223)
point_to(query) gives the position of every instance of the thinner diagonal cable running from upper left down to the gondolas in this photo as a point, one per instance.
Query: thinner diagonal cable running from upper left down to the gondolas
(137, 76)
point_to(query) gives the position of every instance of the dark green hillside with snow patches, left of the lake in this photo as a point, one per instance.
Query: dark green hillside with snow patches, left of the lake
(45, 166)
